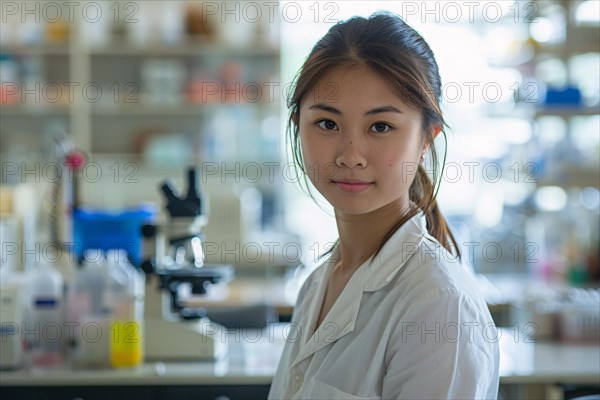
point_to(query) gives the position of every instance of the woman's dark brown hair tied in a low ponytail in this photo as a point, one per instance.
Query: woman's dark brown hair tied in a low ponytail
(396, 52)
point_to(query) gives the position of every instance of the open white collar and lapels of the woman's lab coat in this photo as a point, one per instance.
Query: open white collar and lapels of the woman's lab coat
(367, 278)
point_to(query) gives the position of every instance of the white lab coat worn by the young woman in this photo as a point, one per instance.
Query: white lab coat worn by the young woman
(413, 325)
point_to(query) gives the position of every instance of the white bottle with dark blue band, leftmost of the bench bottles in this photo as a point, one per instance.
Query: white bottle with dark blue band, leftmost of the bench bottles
(44, 332)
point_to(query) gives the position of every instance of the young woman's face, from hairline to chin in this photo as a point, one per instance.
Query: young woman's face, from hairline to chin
(360, 142)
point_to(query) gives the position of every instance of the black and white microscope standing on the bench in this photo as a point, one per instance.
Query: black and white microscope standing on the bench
(174, 332)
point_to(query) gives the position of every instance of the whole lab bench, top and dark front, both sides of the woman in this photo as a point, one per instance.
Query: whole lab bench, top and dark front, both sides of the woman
(528, 370)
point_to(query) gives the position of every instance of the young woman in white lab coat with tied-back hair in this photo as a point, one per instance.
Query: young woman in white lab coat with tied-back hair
(391, 314)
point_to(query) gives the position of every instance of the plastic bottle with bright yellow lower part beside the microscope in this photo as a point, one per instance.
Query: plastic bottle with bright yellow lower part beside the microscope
(125, 297)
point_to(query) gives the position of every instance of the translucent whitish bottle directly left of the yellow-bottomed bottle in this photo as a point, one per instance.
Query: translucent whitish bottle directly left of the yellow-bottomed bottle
(88, 313)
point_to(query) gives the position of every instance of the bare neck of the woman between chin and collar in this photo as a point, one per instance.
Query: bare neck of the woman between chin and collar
(361, 235)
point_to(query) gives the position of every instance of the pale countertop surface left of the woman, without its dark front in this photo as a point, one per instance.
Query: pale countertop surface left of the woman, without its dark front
(251, 360)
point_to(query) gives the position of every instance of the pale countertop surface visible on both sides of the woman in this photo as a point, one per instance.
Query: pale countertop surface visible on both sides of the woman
(254, 354)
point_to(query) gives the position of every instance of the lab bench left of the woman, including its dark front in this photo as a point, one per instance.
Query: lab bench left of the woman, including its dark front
(245, 373)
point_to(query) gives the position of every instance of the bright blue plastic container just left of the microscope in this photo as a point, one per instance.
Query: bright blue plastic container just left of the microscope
(105, 230)
